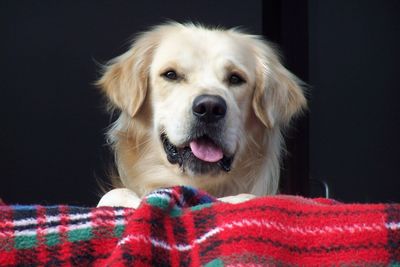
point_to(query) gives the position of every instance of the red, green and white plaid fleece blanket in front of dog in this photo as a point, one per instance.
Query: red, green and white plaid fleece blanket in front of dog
(181, 226)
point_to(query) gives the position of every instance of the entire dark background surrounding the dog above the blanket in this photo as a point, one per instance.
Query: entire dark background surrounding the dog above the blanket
(52, 147)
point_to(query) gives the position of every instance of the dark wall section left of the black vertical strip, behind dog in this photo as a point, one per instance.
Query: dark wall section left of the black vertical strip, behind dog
(53, 122)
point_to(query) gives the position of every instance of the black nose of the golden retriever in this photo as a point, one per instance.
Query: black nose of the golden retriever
(209, 108)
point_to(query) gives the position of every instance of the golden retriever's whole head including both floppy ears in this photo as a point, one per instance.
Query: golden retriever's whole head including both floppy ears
(205, 90)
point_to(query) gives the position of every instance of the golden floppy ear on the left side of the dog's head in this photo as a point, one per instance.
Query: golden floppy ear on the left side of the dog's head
(125, 78)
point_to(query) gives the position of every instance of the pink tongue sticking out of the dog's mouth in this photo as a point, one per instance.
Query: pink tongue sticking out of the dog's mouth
(206, 150)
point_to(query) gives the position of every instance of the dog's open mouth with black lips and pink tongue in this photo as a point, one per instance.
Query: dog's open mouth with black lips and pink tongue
(200, 155)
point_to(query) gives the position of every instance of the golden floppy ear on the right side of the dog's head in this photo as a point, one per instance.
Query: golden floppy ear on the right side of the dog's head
(278, 95)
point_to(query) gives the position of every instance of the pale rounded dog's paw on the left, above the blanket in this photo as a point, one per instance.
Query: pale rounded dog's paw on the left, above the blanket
(120, 197)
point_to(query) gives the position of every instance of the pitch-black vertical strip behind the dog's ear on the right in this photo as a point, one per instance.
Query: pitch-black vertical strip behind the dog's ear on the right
(285, 22)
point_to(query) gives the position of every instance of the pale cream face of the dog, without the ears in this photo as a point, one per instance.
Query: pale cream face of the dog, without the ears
(201, 94)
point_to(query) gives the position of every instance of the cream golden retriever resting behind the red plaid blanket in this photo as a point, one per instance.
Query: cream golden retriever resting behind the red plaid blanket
(199, 106)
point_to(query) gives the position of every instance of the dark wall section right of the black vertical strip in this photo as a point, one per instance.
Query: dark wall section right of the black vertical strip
(355, 111)
